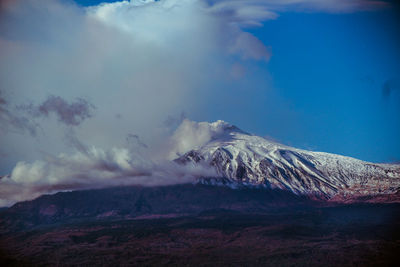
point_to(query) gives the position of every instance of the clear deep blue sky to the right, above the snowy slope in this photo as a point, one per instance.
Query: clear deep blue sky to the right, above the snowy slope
(327, 77)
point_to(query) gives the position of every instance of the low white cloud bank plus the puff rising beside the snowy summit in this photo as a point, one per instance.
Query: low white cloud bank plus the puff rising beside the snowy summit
(91, 167)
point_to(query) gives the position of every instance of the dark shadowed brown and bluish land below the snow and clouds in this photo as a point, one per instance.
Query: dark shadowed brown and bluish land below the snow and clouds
(196, 226)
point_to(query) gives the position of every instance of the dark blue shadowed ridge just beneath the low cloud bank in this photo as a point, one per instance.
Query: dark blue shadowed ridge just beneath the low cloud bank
(134, 201)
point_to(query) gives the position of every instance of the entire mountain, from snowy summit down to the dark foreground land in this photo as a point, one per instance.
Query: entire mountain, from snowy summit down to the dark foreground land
(270, 212)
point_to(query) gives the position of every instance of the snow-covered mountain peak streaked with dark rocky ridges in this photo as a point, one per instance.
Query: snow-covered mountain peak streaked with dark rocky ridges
(242, 158)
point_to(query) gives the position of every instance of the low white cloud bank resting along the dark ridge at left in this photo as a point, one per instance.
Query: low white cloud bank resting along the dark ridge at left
(91, 168)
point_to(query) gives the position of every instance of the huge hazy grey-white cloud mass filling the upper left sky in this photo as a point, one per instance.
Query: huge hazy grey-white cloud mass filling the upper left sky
(143, 60)
